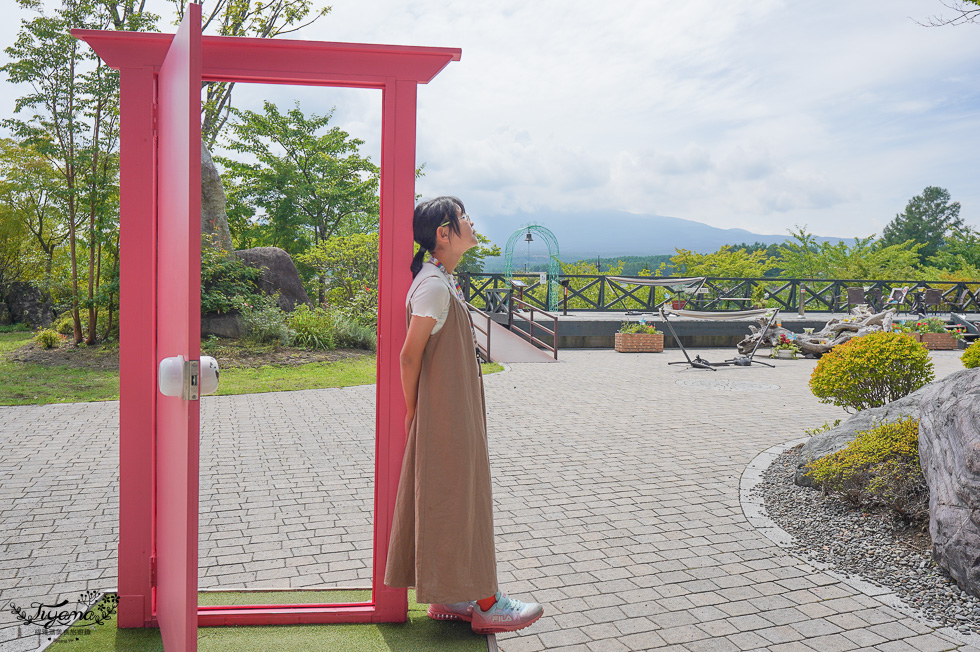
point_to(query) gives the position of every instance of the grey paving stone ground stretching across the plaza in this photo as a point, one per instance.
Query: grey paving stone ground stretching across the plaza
(616, 505)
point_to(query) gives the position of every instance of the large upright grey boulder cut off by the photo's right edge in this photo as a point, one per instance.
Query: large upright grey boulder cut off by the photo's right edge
(949, 452)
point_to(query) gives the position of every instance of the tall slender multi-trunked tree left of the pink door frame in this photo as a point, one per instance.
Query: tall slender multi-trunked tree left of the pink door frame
(74, 100)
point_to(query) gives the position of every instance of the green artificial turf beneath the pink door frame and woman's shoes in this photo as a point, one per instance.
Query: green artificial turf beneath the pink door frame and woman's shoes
(419, 634)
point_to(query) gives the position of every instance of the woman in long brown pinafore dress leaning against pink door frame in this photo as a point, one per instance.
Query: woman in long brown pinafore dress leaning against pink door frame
(442, 532)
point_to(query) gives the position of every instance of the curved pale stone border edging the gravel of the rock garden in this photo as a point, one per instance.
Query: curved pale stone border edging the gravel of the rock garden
(754, 509)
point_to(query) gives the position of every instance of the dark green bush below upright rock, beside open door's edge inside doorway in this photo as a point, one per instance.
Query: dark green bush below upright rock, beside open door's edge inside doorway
(226, 282)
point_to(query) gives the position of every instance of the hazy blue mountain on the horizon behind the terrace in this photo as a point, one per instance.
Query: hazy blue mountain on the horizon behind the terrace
(615, 233)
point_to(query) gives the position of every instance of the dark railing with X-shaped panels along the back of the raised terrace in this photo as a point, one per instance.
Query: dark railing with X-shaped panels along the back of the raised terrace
(600, 294)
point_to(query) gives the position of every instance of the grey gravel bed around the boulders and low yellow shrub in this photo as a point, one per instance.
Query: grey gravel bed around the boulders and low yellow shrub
(872, 546)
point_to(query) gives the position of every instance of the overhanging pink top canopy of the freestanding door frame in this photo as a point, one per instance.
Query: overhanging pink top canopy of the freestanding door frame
(278, 61)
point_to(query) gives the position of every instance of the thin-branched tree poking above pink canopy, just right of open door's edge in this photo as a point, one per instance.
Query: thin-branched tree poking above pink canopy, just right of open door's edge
(240, 18)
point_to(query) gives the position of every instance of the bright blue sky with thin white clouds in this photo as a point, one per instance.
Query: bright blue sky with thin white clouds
(753, 114)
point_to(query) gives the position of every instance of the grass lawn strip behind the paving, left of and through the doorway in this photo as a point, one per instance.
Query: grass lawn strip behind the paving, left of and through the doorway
(27, 383)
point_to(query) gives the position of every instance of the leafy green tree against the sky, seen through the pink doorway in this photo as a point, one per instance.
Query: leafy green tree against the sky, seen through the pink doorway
(311, 187)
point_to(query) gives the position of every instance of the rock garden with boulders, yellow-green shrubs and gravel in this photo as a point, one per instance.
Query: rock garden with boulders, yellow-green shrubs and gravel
(891, 495)
